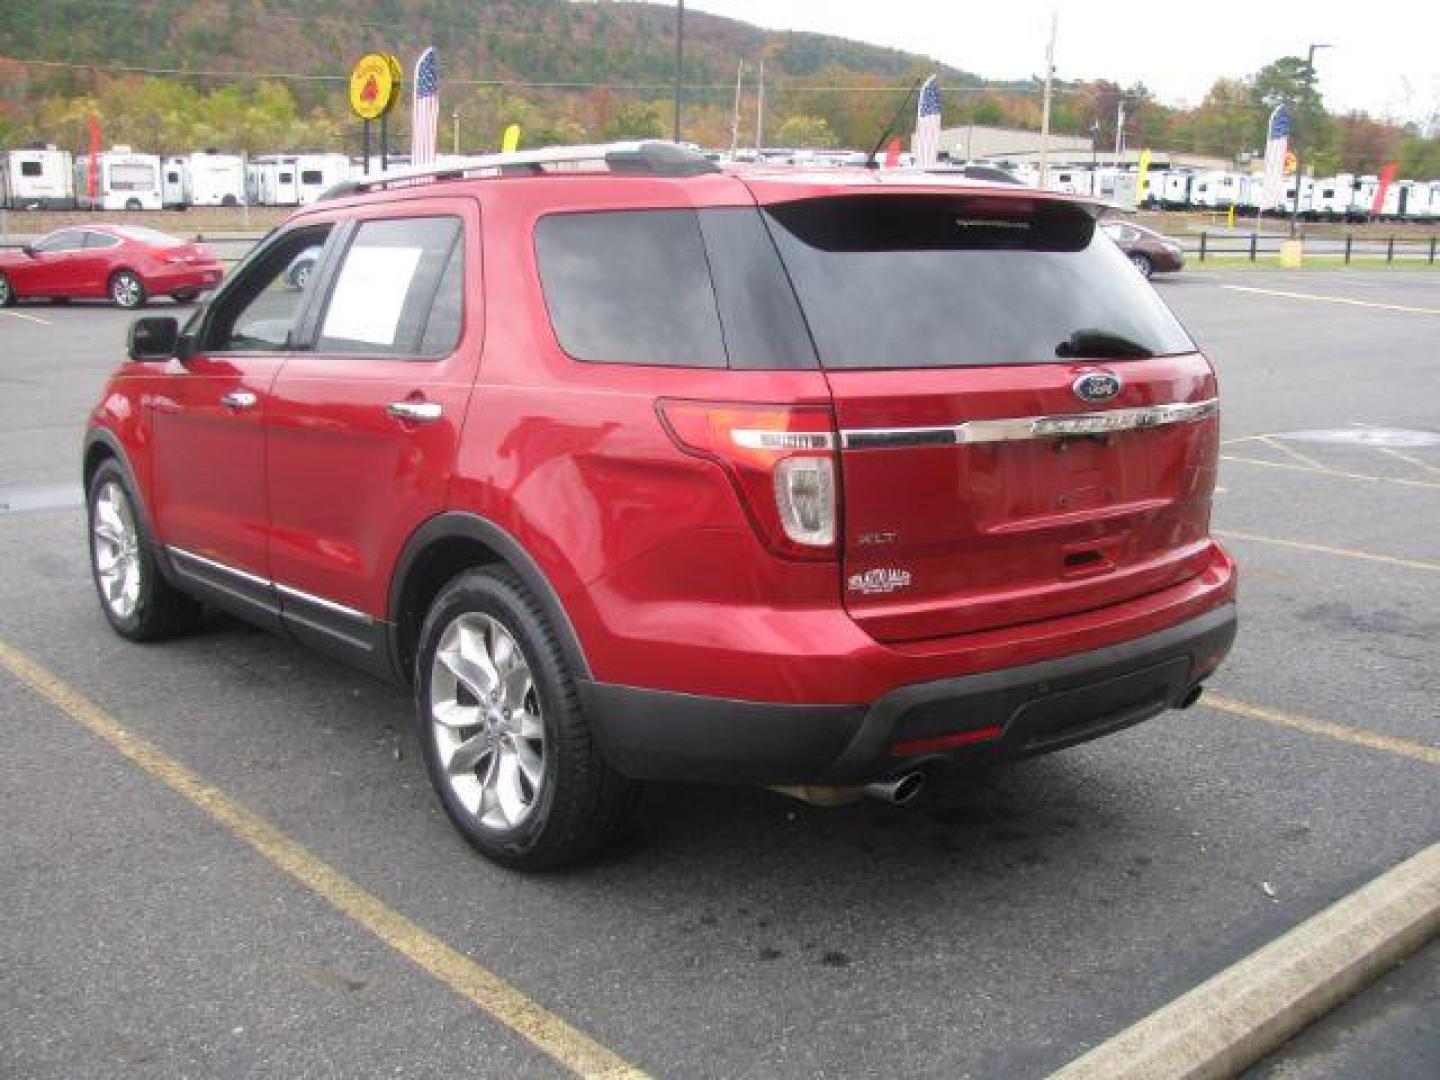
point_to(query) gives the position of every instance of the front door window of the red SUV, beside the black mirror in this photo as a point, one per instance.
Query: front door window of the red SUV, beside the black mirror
(261, 310)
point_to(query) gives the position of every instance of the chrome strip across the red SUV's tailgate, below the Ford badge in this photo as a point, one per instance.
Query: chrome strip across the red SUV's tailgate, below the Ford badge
(1022, 428)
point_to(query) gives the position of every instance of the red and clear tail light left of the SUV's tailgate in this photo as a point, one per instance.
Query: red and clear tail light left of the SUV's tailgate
(781, 462)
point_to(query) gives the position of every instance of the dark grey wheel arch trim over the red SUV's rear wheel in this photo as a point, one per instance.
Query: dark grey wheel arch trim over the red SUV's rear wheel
(446, 546)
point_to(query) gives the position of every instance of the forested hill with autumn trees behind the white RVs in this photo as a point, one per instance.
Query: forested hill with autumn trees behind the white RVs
(559, 61)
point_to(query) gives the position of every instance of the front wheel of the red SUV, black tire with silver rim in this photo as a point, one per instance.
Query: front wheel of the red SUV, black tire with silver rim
(138, 600)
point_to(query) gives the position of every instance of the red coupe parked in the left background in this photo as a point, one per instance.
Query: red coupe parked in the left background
(123, 263)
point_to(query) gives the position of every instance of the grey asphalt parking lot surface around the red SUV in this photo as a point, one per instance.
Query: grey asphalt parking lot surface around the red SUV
(999, 930)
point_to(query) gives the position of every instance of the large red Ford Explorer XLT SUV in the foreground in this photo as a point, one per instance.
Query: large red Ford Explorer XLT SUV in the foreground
(639, 470)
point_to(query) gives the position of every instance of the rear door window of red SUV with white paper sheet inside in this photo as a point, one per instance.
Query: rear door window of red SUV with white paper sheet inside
(390, 286)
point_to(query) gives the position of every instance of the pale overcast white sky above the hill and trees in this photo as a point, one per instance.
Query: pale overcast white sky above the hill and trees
(1386, 57)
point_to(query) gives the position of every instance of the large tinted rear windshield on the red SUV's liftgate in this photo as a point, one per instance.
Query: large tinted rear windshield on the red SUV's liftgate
(953, 282)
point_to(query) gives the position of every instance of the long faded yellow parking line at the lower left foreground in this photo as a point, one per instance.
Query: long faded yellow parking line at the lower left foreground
(571, 1048)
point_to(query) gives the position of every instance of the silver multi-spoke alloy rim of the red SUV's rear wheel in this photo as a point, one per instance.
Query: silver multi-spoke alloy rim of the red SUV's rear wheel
(486, 719)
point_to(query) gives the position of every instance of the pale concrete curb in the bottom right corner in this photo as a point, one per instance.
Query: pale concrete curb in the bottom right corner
(1246, 1012)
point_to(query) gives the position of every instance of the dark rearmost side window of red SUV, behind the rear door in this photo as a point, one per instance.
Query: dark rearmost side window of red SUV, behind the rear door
(630, 287)
